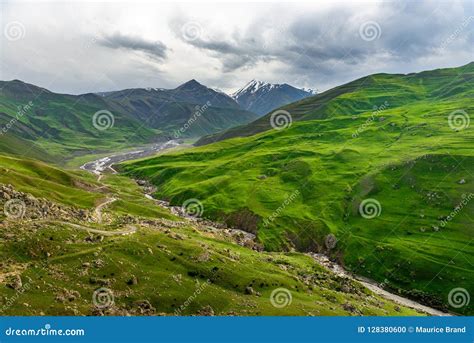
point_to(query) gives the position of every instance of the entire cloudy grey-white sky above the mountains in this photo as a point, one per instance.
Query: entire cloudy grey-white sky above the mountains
(79, 47)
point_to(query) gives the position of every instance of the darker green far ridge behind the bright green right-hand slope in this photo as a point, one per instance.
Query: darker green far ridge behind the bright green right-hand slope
(364, 94)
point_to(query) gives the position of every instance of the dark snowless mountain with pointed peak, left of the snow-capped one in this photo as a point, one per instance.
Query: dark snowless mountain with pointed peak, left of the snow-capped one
(170, 110)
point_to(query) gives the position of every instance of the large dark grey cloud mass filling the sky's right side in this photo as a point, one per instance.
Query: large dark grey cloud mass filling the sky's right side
(335, 39)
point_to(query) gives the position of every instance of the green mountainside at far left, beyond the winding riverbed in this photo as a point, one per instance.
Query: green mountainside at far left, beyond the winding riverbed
(63, 125)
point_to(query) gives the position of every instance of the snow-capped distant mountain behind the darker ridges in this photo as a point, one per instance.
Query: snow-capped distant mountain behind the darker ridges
(261, 97)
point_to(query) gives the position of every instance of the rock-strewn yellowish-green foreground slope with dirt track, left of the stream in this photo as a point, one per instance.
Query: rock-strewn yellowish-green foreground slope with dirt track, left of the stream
(57, 258)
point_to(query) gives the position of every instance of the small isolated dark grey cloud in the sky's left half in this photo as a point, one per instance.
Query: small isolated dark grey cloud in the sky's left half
(154, 49)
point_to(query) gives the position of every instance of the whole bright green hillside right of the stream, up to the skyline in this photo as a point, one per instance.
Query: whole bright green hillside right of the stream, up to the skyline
(332, 171)
